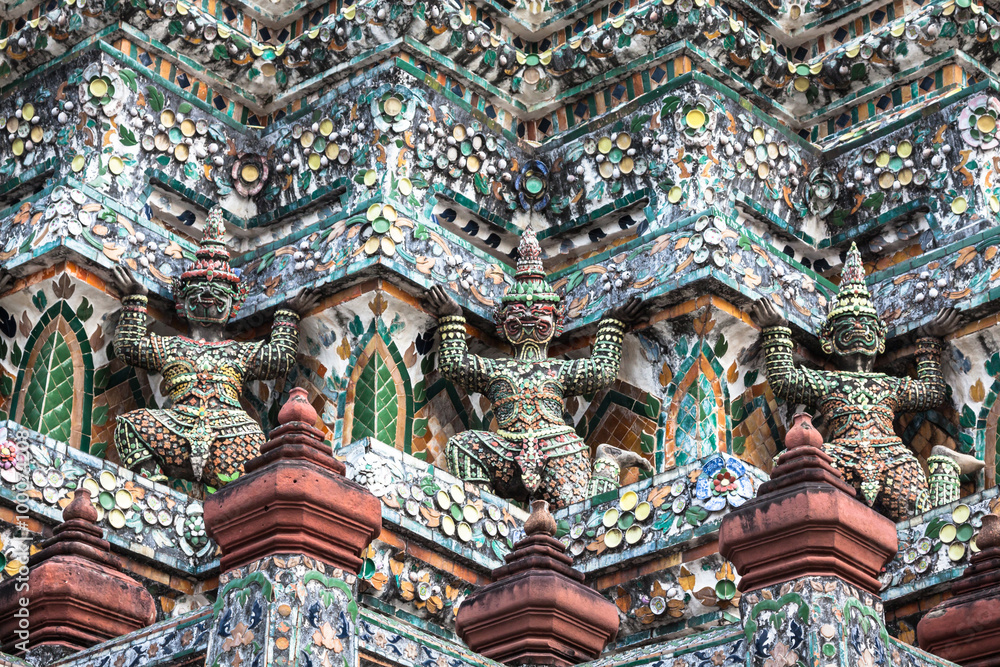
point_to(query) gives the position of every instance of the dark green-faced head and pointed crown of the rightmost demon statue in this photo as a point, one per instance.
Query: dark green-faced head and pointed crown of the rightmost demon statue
(853, 325)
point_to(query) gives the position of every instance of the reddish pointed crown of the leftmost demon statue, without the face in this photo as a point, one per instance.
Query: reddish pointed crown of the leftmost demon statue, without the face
(211, 266)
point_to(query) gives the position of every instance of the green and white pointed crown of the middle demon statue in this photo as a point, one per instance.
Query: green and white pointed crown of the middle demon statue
(530, 291)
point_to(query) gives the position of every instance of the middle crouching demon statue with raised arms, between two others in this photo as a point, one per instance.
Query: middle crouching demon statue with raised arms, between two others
(534, 453)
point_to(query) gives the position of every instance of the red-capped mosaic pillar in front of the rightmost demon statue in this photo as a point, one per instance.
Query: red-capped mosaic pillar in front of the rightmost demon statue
(809, 554)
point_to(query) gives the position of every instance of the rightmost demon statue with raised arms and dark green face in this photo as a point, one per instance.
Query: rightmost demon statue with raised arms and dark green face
(859, 404)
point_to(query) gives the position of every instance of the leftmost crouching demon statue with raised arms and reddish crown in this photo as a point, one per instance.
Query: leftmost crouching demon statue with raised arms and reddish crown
(206, 436)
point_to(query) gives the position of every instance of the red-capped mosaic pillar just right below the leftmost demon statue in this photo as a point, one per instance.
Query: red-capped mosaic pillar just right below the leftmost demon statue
(292, 517)
